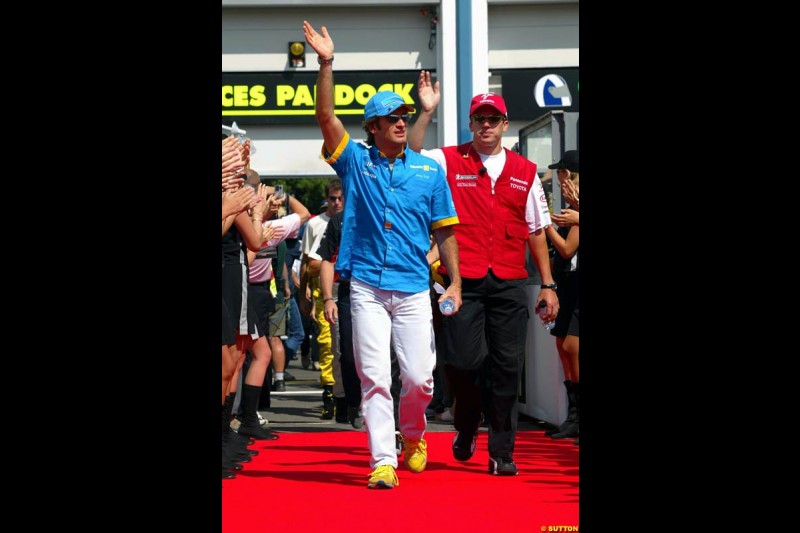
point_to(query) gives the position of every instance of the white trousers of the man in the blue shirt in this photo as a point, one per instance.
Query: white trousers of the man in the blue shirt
(381, 317)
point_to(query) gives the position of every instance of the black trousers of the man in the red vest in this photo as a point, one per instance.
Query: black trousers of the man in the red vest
(485, 352)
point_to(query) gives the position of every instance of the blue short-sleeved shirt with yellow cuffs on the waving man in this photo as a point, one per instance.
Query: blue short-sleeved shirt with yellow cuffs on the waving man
(389, 215)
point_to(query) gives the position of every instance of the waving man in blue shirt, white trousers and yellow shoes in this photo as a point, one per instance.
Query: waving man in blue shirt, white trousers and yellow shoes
(394, 199)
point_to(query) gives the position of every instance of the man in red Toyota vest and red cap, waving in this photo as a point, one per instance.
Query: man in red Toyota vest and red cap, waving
(501, 208)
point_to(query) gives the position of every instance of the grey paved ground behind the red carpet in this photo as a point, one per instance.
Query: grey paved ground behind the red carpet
(298, 409)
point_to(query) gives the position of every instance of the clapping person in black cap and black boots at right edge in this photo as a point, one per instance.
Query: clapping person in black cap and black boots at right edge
(566, 271)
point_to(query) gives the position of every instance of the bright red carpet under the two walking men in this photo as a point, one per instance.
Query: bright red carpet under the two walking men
(317, 482)
